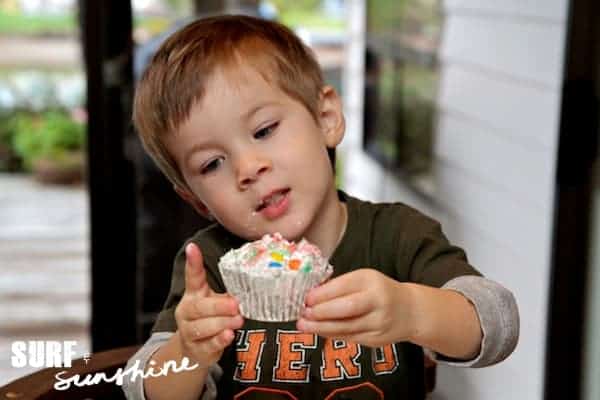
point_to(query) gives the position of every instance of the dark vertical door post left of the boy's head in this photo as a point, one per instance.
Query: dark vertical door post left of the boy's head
(107, 43)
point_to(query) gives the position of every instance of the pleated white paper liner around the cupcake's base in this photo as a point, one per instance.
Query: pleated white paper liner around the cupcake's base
(275, 297)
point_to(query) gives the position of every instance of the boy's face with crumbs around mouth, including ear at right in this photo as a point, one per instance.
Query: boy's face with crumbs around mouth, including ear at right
(256, 159)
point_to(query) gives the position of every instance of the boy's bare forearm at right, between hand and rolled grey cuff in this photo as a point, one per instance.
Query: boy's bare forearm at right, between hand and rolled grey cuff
(446, 322)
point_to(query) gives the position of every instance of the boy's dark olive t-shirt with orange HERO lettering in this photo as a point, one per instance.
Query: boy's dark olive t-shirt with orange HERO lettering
(275, 361)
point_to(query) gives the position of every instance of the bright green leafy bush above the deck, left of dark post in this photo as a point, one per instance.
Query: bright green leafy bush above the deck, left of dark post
(51, 135)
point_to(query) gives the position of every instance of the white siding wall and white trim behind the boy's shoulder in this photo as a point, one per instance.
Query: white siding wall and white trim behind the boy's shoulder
(499, 102)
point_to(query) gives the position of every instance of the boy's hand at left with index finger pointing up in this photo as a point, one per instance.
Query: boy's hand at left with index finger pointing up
(205, 319)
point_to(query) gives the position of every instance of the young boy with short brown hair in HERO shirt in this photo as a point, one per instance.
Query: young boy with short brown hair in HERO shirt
(235, 112)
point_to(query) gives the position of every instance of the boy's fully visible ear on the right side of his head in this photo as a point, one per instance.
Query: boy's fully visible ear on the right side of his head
(331, 116)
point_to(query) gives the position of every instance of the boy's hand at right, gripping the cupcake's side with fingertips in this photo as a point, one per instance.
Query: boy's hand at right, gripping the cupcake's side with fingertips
(362, 306)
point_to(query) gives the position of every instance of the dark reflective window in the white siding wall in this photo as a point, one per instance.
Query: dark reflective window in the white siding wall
(401, 67)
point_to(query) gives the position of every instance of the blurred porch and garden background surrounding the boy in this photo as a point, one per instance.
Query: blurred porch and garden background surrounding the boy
(481, 114)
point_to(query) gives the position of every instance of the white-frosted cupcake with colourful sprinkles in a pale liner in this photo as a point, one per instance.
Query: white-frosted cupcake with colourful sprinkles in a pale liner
(271, 276)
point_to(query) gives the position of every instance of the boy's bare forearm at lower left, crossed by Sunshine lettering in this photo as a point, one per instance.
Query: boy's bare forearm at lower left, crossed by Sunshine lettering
(181, 385)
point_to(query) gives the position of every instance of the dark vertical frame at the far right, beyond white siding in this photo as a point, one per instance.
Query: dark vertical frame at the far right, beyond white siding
(577, 148)
